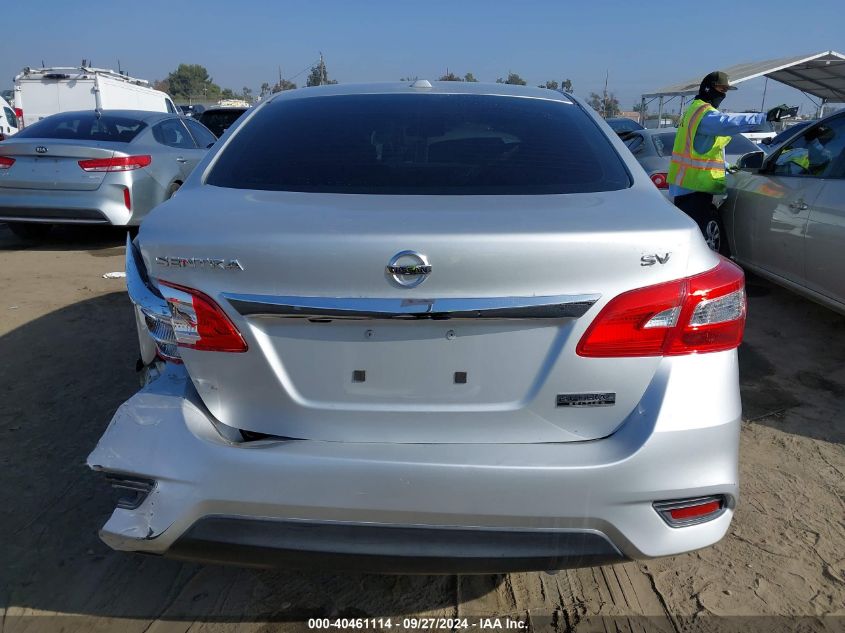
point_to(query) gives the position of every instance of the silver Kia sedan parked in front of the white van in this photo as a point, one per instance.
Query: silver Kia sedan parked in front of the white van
(91, 167)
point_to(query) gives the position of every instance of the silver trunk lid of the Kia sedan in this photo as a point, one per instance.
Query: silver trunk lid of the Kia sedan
(53, 164)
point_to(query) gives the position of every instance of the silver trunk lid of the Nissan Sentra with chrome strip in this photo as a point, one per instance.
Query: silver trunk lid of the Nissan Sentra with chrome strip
(311, 295)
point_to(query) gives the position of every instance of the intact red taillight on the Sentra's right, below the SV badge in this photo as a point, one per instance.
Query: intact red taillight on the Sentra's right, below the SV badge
(702, 313)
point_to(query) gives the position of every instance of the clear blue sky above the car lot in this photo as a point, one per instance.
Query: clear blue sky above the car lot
(639, 46)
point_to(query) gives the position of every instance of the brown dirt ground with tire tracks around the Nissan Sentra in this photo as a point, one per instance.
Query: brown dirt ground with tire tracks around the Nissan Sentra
(67, 357)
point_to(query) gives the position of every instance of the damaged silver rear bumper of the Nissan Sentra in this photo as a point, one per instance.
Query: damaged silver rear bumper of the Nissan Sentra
(406, 507)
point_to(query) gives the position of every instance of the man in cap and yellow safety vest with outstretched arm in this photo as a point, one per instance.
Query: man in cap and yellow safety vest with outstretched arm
(697, 168)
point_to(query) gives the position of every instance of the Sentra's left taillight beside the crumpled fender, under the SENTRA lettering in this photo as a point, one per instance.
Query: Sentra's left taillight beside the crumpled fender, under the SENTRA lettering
(199, 323)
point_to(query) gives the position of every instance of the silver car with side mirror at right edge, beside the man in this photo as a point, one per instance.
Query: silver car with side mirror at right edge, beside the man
(786, 217)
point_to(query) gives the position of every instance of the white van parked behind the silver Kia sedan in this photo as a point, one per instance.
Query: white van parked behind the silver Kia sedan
(45, 91)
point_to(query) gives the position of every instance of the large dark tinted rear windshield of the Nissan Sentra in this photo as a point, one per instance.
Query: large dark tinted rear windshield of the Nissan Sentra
(420, 144)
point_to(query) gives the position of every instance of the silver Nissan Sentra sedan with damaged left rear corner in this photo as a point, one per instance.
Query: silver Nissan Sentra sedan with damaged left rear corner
(426, 327)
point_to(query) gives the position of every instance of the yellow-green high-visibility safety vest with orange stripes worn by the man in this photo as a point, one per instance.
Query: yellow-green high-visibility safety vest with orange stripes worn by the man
(689, 169)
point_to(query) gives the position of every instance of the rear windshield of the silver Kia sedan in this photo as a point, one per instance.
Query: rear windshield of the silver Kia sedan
(85, 126)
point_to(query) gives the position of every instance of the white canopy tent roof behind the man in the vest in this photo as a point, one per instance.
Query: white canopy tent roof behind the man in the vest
(821, 76)
